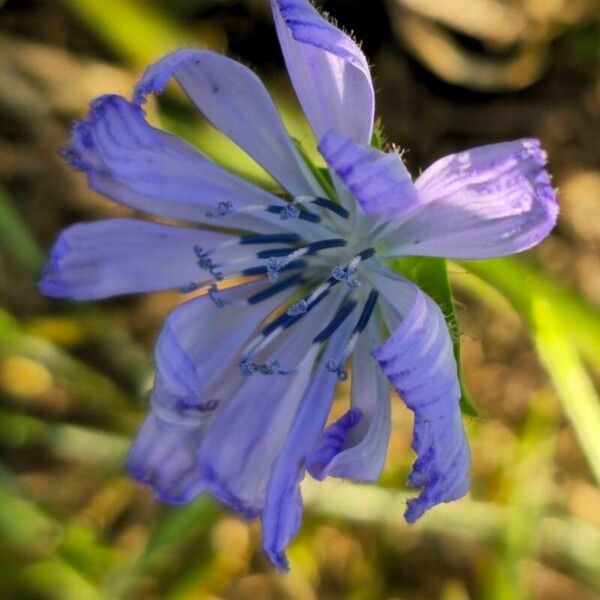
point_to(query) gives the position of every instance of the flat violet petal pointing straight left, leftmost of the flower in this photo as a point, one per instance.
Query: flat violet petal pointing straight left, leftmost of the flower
(124, 256)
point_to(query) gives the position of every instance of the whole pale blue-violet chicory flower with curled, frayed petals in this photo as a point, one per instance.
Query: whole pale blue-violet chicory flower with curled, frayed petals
(246, 374)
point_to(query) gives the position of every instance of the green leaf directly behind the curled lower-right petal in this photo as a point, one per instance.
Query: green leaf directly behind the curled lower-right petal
(431, 275)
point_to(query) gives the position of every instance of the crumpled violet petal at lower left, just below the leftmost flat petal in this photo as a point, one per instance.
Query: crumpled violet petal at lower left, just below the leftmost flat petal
(198, 345)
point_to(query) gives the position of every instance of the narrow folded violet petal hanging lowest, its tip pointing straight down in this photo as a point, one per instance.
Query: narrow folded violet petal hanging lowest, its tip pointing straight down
(283, 509)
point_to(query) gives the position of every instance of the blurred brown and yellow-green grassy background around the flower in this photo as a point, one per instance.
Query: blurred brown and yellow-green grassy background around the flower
(74, 378)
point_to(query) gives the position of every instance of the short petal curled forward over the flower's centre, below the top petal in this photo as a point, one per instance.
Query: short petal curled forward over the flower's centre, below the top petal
(380, 182)
